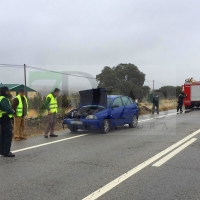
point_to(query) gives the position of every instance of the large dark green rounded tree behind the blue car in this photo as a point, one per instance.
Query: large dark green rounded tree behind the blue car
(125, 79)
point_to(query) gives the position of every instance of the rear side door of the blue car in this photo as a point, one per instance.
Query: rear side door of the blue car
(129, 108)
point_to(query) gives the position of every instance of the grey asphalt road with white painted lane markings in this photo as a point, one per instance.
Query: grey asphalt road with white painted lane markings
(127, 164)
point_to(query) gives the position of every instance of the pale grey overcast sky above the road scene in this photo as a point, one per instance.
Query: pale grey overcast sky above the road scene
(162, 38)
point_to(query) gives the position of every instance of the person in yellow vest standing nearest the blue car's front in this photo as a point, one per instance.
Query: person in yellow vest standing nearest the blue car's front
(52, 108)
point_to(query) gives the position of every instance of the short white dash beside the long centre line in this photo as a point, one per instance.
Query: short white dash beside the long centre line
(173, 153)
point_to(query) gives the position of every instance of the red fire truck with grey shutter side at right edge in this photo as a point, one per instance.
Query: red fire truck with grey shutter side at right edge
(192, 89)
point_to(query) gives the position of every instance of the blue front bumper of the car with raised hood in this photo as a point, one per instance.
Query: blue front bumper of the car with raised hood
(84, 124)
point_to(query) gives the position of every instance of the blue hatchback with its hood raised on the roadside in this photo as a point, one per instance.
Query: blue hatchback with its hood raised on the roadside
(99, 111)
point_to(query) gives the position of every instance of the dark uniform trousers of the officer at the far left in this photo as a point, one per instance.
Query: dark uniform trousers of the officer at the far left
(5, 136)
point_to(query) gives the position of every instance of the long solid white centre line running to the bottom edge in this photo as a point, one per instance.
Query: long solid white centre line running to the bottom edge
(98, 193)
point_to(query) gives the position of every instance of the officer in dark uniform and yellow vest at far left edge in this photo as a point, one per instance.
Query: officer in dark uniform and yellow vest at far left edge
(6, 115)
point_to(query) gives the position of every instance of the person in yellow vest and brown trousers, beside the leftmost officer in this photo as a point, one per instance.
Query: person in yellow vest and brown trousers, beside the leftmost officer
(20, 106)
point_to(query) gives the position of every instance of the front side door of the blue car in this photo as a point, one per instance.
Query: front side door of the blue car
(117, 112)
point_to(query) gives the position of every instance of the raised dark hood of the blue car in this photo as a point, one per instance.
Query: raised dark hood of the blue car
(93, 97)
